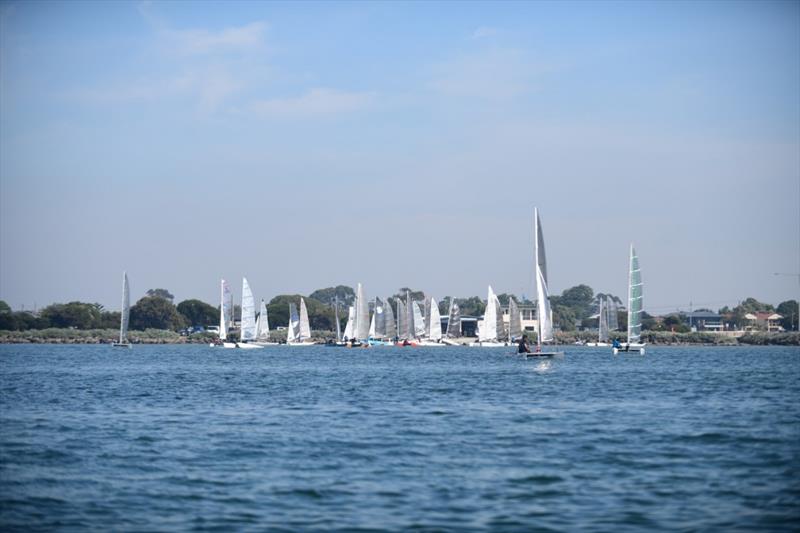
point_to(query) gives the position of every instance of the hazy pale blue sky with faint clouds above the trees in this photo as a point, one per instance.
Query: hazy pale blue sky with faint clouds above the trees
(305, 145)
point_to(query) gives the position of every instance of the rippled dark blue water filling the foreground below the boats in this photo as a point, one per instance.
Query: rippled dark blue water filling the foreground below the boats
(301, 439)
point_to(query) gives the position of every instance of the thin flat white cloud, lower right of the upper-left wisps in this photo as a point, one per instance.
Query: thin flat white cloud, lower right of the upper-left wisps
(317, 101)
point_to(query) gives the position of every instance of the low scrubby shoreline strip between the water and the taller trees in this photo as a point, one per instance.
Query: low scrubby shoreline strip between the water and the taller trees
(156, 336)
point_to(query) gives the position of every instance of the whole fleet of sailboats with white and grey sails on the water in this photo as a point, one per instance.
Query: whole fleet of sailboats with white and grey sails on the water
(420, 323)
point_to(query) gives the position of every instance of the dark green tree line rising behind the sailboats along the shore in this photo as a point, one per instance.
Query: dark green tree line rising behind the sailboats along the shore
(574, 308)
